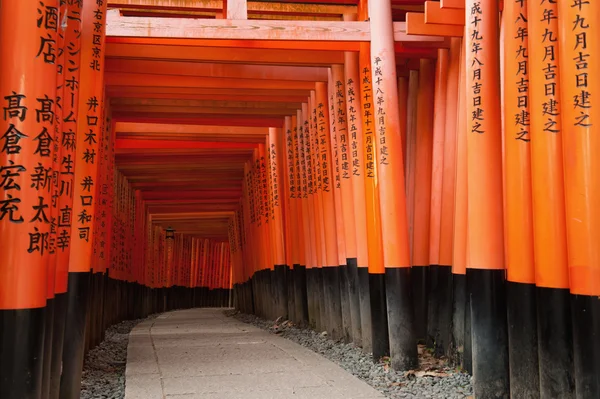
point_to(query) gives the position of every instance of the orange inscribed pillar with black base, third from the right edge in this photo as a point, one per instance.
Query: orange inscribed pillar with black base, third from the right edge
(520, 268)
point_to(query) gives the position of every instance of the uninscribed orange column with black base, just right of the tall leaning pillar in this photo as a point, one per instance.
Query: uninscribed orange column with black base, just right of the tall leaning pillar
(422, 135)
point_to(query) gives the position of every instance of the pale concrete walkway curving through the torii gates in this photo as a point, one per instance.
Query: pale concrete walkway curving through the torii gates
(200, 353)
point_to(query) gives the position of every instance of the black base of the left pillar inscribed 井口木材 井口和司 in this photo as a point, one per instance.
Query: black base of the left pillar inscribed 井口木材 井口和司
(74, 345)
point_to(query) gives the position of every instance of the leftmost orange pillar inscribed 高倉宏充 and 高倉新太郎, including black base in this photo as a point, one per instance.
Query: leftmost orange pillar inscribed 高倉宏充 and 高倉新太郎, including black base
(28, 95)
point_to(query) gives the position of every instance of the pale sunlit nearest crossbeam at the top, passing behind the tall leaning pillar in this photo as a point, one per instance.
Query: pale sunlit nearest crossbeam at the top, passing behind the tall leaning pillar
(352, 31)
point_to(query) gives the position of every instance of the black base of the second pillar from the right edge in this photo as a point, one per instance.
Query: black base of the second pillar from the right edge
(555, 340)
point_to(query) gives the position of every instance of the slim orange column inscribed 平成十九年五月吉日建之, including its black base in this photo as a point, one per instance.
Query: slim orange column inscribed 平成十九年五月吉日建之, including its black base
(358, 272)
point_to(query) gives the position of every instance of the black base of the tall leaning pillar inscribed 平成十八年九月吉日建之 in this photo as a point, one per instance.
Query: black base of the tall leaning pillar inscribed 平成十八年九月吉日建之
(401, 326)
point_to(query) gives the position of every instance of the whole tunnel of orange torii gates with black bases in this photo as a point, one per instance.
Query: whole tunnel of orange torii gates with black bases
(409, 171)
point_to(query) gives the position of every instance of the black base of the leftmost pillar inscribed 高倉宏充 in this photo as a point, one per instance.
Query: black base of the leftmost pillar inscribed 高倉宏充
(22, 349)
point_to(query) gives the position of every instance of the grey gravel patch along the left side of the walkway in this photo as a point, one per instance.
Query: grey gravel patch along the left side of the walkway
(104, 367)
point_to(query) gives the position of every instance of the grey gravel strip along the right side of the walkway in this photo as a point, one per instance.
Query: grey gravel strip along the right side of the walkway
(433, 380)
